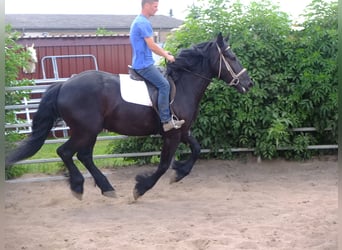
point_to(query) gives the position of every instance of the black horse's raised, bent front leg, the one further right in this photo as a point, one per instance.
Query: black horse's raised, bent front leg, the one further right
(183, 168)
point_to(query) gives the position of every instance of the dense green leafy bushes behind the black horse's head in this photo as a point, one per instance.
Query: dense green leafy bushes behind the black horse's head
(294, 71)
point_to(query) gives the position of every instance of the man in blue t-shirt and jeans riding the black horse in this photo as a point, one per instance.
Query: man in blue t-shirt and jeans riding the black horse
(141, 36)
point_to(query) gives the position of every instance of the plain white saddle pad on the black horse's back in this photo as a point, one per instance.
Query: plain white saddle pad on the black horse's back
(134, 91)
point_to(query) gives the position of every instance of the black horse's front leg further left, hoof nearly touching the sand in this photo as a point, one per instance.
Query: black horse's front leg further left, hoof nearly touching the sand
(146, 181)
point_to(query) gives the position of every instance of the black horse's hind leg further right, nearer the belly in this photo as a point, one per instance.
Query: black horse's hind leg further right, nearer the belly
(85, 155)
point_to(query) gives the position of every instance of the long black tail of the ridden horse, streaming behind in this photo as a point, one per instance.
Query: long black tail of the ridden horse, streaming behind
(42, 123)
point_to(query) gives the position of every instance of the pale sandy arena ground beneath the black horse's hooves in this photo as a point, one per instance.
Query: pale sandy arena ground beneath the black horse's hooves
(233, 205)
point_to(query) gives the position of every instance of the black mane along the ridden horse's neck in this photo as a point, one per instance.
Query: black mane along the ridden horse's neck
(191, 59)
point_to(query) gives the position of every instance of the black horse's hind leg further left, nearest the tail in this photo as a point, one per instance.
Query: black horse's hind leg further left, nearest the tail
(76, 179)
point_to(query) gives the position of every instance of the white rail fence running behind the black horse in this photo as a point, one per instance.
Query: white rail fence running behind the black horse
(27, 108)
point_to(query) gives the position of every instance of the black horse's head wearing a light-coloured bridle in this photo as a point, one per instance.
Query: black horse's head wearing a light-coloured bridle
(229, 68)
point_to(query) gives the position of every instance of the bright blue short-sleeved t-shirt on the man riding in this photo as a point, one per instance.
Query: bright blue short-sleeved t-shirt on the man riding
(142, 54)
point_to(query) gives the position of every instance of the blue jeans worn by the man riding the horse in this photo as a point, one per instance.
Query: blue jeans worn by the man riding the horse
(153, 75)
